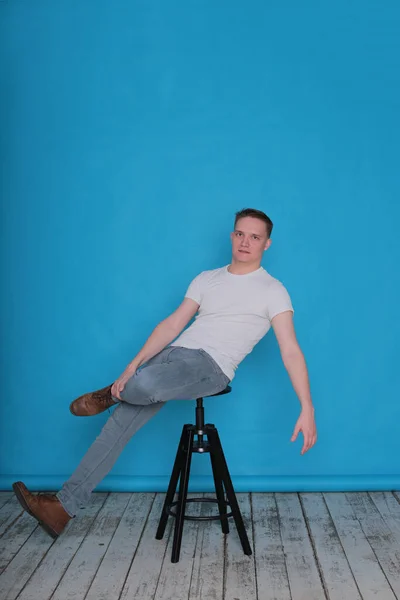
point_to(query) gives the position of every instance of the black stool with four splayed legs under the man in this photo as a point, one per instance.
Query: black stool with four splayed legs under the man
(181, 471)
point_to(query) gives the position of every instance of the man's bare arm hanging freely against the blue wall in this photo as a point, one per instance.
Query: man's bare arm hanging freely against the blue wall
(295, 364)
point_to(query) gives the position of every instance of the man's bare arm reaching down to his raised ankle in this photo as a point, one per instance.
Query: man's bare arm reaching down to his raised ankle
(165, 332)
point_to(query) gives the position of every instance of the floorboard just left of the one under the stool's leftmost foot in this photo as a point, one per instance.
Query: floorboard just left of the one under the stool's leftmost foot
(111, 575)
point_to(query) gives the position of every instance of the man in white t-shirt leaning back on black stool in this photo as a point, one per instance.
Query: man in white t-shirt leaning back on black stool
(236, 305)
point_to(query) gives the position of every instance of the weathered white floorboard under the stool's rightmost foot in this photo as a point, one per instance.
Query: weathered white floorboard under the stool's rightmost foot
(240, 578)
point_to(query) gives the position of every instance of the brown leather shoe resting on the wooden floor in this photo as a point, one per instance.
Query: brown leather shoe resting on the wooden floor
(45, 508)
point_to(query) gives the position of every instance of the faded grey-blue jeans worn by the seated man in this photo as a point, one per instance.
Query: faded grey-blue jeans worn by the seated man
(175, 373)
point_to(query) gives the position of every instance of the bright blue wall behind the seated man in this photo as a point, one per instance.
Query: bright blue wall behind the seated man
(131, 133)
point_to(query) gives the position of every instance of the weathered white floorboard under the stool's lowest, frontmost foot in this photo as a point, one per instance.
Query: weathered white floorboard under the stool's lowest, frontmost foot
(175, 578)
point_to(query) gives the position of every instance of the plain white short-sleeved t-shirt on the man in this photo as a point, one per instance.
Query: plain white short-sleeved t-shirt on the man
(235, 313)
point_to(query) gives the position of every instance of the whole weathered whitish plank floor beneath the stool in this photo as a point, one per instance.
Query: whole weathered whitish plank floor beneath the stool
(306, 547)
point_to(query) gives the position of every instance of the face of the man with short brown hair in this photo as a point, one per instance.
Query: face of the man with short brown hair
(249, 240)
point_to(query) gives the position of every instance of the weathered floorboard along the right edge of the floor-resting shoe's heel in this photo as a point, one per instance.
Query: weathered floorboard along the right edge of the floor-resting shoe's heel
(52, 568)
